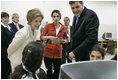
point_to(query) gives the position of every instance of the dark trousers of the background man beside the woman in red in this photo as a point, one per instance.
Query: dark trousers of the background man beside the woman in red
(65, 53)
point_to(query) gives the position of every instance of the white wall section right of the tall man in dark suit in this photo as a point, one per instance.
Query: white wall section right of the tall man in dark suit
(107, 13)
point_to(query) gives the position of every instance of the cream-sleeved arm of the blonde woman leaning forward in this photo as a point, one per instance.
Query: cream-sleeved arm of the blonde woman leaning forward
(18, 40)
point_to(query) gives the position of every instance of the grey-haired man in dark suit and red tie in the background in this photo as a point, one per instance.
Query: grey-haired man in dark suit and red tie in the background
(15, 25)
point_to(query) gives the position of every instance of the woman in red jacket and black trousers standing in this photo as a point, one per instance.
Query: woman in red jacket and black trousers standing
(53, 49)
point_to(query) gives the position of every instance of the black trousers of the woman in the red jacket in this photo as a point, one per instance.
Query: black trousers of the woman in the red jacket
(53, 67)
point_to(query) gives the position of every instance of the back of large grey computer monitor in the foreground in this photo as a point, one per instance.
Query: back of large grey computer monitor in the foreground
(99, 69)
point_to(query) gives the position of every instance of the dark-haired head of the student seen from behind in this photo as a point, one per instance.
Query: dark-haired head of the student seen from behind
(32, 55)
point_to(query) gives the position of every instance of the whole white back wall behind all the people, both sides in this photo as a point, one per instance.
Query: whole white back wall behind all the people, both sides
(106, 11)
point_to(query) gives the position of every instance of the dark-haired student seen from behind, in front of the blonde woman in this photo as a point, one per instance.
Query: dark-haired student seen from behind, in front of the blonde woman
(31, 62)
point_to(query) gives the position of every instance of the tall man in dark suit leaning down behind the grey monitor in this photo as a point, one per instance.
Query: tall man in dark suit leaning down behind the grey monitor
(84, 31)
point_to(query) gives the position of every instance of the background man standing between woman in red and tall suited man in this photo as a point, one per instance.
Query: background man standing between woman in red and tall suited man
(67, 46)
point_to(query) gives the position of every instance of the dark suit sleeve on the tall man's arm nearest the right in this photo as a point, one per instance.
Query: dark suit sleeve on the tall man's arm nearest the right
(91, 30)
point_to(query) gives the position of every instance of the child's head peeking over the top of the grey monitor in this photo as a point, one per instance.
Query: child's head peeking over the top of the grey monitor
(97, 53)
